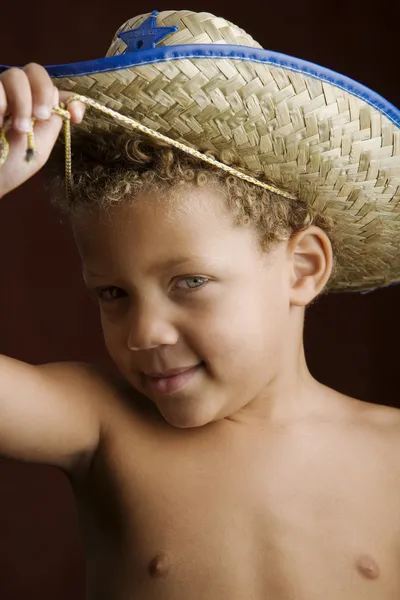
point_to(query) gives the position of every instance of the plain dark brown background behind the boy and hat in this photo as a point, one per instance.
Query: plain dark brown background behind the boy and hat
(351, 340)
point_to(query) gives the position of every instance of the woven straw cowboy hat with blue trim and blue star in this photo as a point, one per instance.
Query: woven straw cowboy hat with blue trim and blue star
(204, 83)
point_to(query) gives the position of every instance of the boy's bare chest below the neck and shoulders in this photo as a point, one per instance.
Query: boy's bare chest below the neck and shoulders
(174, 522)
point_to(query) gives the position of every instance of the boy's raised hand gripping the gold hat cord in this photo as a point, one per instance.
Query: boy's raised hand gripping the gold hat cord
(27, 93)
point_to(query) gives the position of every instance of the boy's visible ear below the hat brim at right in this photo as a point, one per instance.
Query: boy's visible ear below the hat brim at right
(311, 261)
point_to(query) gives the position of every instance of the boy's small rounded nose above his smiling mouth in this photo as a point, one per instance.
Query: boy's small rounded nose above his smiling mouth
(150, 327)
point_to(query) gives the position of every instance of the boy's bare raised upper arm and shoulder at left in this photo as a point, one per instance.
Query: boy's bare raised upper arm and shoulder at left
(53, 413)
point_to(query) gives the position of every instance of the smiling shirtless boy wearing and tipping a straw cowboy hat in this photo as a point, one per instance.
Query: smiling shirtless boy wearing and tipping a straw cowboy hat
(215, 466)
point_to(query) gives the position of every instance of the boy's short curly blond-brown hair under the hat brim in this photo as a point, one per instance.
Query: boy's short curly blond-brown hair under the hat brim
(110, 169)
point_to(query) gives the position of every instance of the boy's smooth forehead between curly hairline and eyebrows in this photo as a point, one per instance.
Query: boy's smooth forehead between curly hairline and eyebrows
(193, 228)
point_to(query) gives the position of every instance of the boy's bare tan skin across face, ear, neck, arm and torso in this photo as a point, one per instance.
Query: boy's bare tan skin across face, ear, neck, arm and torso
(252, 480)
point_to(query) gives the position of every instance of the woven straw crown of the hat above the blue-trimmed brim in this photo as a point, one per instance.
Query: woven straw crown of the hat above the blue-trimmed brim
(191, 28)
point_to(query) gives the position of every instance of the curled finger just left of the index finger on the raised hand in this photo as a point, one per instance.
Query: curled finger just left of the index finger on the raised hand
(19, 99)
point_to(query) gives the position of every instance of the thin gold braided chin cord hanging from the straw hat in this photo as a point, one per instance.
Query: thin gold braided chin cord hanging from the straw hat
(135, 125)
